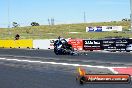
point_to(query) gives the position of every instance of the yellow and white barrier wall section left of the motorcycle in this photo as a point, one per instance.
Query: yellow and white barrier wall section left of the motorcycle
(28, 43)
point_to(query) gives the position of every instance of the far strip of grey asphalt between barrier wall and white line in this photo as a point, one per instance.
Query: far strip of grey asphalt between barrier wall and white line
(92, 58)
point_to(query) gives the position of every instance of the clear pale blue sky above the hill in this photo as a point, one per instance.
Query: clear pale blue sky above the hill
(63, 11)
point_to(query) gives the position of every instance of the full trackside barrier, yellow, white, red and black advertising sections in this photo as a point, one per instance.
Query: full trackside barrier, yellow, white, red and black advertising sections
(77, 44)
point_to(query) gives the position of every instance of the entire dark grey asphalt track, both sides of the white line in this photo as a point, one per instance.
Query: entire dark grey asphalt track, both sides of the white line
(15, 74)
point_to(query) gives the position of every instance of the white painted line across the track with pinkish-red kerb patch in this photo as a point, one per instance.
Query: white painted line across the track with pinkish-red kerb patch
(115, 70)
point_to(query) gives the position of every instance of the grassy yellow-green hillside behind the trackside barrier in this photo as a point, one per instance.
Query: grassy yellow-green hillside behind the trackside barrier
(65, 30)
